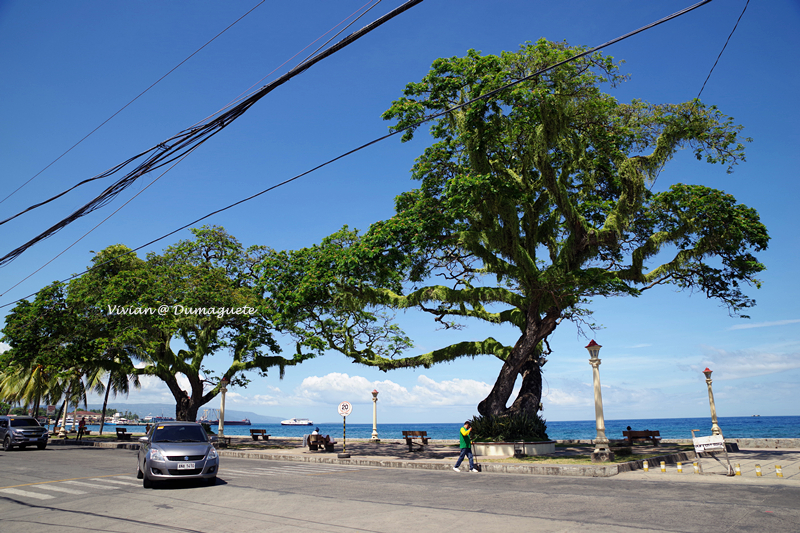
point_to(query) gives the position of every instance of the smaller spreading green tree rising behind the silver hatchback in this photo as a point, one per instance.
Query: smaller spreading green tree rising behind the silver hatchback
(191, 281)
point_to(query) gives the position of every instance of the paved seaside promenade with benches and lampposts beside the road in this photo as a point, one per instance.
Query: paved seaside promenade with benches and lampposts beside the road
(442, 454)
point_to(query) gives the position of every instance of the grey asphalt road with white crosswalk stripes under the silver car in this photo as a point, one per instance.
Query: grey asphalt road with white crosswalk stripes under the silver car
(95, 489)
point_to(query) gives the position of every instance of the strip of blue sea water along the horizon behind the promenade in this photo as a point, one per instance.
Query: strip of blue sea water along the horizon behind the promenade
(773, 427)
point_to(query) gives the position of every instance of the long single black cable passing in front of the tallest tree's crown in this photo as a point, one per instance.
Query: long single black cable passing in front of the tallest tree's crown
(391, 134)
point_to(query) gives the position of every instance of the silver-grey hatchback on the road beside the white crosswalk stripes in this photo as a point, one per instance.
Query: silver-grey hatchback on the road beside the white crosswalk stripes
(177, 450)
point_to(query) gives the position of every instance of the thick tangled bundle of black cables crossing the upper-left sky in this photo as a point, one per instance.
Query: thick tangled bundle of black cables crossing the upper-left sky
(174, 147)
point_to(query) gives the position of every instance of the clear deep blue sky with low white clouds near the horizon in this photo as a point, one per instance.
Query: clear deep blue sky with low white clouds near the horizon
(67, 67)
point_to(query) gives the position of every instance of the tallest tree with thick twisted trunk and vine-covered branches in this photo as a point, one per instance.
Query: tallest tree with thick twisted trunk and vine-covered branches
(533, 201)
